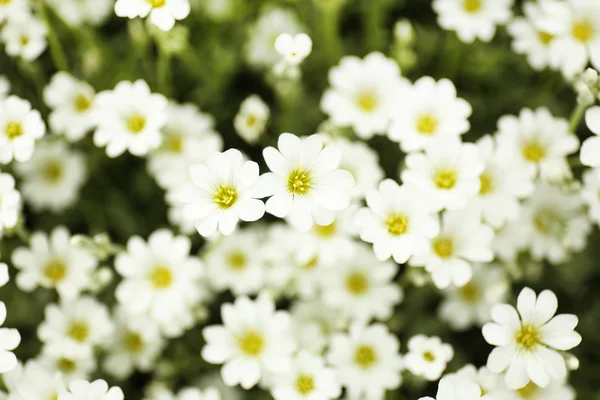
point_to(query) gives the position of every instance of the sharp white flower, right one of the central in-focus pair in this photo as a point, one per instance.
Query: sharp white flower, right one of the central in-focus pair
(305, 181)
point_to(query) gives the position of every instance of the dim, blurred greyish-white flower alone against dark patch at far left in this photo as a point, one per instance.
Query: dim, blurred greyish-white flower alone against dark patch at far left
(53, 178)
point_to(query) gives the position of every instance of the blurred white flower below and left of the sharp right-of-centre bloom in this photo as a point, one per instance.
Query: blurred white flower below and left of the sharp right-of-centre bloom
(362, 288)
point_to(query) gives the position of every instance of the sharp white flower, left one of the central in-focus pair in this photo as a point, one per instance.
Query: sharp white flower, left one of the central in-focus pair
(222, 191)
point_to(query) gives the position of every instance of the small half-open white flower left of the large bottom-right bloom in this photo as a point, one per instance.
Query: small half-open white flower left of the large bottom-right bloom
(428, 356)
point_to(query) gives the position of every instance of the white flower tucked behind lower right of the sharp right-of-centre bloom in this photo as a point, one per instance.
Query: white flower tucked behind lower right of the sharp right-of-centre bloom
(462, 240)
